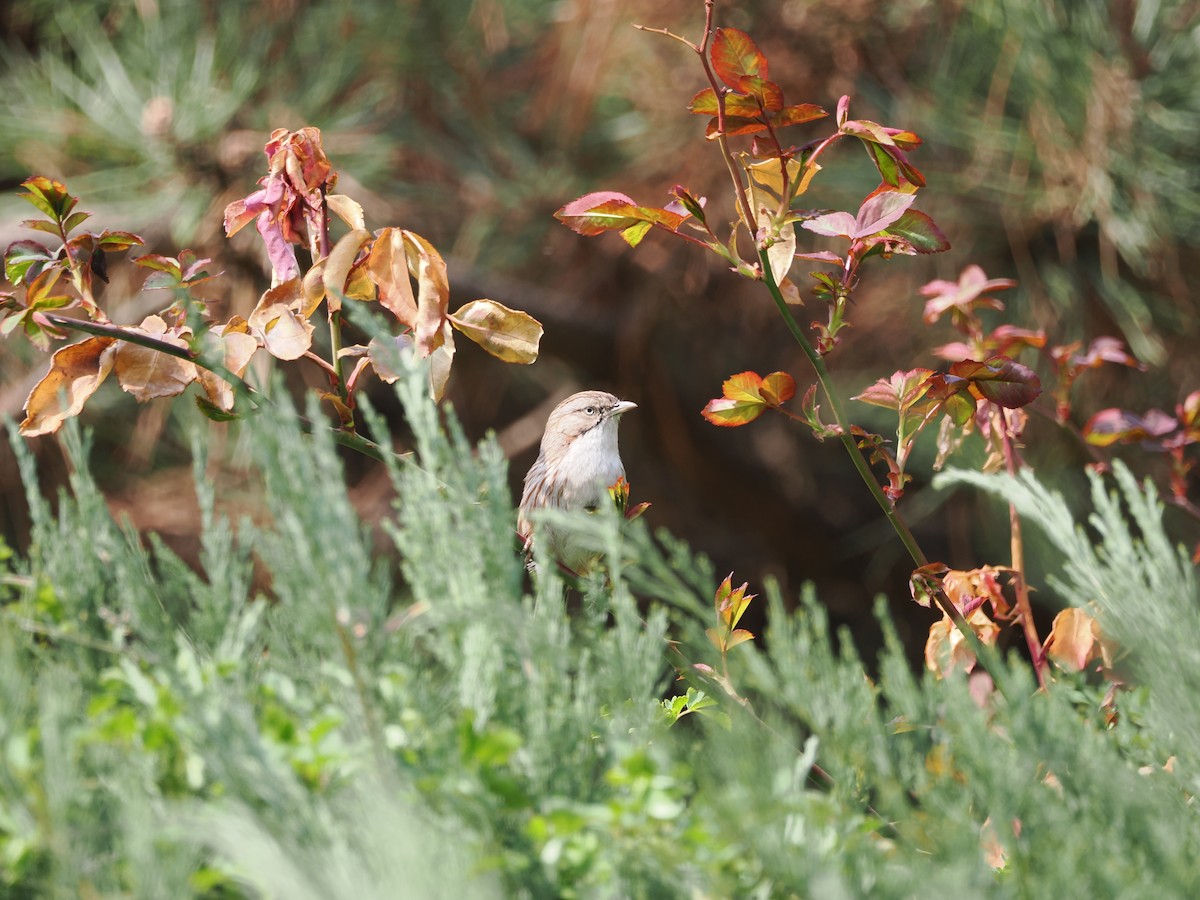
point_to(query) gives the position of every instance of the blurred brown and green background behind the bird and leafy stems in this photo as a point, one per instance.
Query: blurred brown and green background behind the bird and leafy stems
(1061, 151)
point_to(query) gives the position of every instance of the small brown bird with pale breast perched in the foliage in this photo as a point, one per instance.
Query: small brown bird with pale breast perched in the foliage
(578, 464)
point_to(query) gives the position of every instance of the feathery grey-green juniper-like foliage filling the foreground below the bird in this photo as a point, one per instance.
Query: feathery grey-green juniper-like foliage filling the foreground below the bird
(421, 723)
